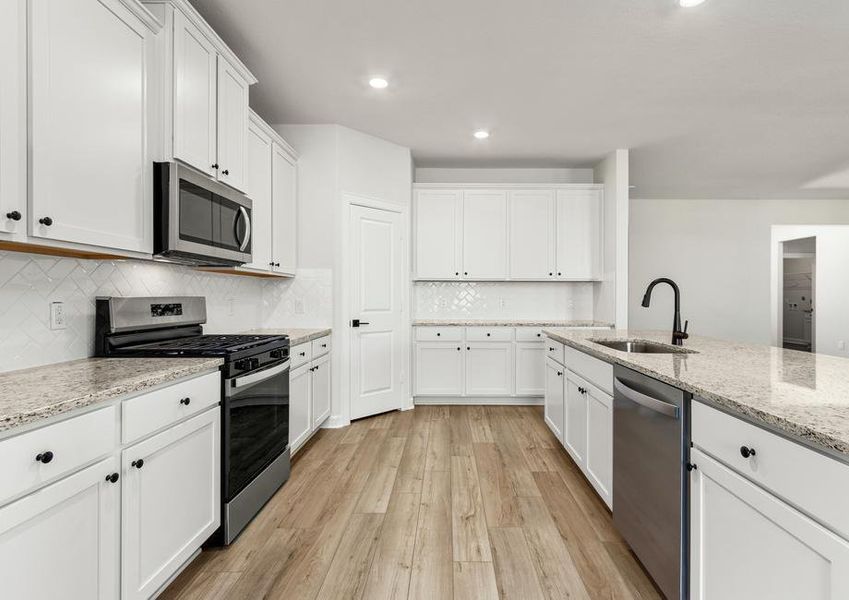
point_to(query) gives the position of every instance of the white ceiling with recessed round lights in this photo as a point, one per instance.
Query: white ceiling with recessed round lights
(732, 99)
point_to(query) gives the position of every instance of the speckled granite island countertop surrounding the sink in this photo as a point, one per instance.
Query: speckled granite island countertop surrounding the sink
(804, 396)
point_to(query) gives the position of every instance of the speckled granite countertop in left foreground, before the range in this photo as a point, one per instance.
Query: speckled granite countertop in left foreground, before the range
(33, 394)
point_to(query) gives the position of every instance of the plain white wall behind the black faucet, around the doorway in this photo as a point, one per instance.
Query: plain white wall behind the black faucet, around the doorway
(718, 251)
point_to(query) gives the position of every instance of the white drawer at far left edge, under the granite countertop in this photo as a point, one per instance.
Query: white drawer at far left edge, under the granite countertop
(63, 447)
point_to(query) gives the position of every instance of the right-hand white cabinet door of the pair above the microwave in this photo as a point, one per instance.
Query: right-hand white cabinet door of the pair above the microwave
(232, 126)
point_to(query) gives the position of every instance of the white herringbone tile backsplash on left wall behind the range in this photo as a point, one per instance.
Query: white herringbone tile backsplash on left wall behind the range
(29, 283)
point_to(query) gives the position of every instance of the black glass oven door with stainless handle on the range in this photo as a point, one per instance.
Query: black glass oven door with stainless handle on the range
(255, 425)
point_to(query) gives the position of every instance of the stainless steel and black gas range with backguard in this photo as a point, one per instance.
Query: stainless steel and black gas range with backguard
(254, 397)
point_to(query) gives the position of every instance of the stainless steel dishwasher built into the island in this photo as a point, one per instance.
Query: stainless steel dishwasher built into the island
(651, 450)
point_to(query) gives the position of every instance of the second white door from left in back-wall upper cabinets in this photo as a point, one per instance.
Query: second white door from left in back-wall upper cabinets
(484, 234)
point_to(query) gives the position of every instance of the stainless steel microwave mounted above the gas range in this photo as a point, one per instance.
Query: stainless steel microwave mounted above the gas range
(197, 220)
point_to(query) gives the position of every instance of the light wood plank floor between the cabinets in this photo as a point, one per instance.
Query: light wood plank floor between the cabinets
(461, 502)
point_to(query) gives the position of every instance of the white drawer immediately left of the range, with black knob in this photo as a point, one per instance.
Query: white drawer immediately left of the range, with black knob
(147, 413)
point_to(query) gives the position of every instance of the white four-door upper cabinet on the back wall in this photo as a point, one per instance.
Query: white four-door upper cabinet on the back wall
(509, 233)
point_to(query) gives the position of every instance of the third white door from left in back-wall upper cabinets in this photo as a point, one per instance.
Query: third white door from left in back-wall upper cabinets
(532, 241)
